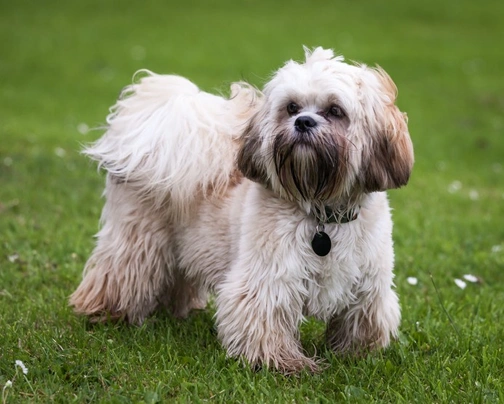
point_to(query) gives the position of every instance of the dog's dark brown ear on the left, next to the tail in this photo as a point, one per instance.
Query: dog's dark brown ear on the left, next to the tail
(249, 160)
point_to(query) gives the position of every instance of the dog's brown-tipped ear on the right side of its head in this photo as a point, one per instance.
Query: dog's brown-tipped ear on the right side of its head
(389, 158)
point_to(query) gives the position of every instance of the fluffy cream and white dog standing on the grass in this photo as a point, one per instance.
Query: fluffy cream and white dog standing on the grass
(272, 200)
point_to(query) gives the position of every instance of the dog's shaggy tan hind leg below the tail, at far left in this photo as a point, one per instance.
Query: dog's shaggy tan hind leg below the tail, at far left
(132, 265)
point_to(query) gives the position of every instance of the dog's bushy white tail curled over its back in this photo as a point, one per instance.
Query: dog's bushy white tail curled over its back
(168, 139)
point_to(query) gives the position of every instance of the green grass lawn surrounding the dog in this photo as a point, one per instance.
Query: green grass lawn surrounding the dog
(62, 64)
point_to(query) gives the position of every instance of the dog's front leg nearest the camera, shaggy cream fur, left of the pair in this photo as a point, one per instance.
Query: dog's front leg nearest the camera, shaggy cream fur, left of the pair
(258, 314)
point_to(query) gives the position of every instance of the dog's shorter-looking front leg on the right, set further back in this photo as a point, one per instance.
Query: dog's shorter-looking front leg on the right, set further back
(368, 323)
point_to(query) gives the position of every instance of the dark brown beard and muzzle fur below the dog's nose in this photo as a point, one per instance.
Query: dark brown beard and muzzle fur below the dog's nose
(309, 166)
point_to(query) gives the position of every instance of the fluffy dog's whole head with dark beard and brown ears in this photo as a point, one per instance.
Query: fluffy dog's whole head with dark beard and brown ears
(327, 131)
